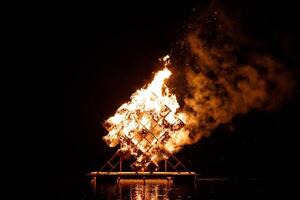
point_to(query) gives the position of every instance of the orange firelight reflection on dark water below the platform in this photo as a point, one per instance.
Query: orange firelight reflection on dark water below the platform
(148, 189)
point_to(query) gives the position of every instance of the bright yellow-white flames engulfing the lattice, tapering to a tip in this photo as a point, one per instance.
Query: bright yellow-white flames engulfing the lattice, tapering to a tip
(149, 127)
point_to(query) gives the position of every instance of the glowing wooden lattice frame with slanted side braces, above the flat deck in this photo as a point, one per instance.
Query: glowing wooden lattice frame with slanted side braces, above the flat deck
(153, 140)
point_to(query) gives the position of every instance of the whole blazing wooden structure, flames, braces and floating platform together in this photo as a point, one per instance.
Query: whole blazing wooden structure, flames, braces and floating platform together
(150, 129)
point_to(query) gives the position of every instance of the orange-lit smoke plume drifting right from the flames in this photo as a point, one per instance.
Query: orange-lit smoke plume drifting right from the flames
(225, 75)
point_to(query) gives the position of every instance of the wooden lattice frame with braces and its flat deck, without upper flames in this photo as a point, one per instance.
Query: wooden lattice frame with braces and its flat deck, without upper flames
(155, 139)
